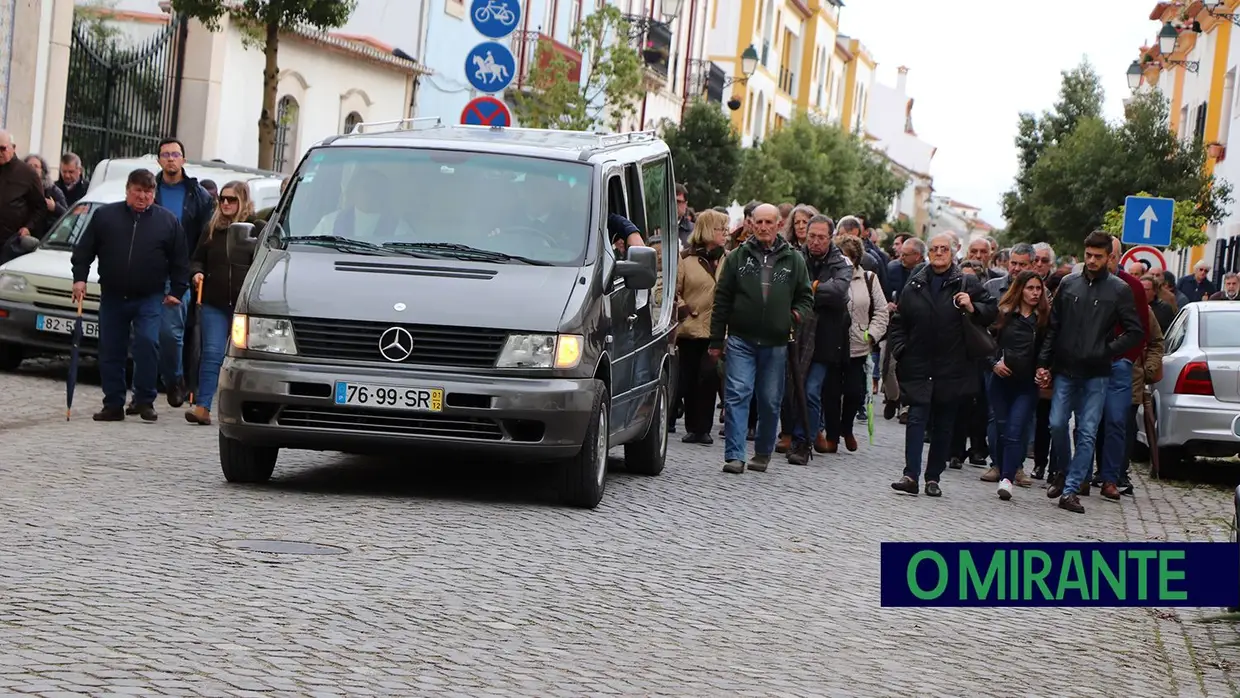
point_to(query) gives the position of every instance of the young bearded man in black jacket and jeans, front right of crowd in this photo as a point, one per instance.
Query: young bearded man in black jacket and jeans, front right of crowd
(1081, 350)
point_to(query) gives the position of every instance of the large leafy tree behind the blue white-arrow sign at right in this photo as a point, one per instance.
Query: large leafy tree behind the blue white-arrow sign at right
(1074, 169)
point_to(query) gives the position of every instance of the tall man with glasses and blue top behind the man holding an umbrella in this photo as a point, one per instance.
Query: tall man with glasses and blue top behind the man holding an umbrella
(194, 208)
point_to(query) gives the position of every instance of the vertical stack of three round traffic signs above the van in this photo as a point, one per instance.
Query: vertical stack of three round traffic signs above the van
(490, 68)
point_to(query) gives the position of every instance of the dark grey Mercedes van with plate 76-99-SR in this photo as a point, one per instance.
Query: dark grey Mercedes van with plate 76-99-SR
(427, 286)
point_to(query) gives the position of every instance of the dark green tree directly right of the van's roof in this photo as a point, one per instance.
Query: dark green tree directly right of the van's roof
(706, 151)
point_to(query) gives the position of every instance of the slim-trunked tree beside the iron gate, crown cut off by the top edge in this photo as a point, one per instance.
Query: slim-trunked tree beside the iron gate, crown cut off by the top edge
(265, 20)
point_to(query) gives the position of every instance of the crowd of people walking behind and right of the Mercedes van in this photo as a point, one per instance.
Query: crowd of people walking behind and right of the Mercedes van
(989, 356)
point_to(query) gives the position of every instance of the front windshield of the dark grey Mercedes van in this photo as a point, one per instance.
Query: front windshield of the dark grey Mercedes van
(443, 203)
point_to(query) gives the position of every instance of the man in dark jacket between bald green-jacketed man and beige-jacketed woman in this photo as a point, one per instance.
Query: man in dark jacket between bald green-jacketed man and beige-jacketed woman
(830, 281)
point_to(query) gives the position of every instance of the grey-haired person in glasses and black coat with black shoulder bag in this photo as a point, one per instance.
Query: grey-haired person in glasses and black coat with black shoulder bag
(927, 337)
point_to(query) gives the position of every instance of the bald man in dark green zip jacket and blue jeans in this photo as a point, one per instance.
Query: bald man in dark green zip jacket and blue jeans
(762, 294)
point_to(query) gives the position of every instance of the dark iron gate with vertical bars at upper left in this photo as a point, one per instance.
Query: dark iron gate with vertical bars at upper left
(122, 100)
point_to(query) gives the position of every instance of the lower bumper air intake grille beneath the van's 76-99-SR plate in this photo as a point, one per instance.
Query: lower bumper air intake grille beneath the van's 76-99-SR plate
(391, 423)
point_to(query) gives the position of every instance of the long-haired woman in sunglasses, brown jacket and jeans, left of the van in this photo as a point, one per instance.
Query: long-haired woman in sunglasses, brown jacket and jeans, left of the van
(219, 271)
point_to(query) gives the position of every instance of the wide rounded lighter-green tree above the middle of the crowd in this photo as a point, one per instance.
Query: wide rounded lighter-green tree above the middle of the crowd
(821, 166)
